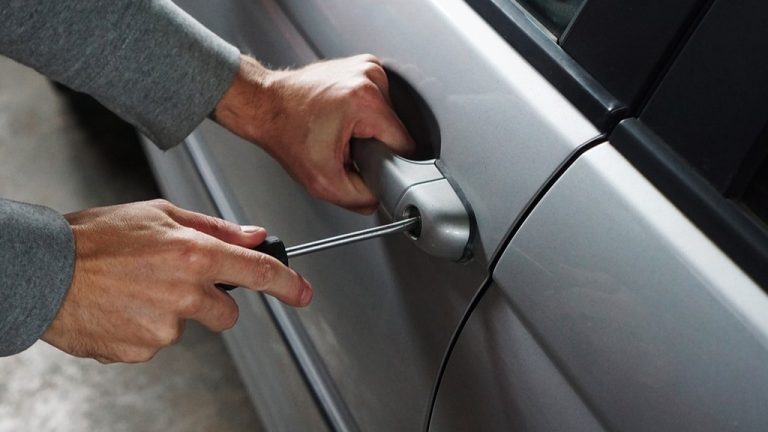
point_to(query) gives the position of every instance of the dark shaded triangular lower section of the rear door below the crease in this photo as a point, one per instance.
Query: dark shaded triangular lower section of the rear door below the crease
(500, 379)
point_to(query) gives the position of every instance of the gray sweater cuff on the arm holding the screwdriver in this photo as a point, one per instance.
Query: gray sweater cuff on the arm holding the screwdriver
(37, 255)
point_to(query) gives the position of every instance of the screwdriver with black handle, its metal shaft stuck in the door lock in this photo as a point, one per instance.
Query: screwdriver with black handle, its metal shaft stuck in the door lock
(274, 247)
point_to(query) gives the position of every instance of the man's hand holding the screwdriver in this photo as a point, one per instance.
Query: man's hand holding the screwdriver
(142, 269)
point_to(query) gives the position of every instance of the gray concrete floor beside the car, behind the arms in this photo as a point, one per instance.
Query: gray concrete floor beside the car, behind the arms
(70, 156)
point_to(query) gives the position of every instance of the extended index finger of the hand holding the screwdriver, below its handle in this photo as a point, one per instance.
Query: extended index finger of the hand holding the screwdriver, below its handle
(260, 272)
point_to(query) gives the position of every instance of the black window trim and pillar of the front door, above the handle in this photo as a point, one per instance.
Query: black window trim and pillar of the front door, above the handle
(594, 29)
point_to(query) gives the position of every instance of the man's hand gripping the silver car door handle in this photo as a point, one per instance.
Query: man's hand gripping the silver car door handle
(305, 118)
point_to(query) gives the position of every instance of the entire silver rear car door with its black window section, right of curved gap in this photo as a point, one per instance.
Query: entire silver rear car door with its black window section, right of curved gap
(633, 295)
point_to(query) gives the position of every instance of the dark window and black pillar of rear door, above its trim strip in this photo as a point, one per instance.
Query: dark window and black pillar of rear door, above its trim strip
(709, 108)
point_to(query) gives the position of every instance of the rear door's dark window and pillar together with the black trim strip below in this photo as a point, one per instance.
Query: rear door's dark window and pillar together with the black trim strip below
(707, 142)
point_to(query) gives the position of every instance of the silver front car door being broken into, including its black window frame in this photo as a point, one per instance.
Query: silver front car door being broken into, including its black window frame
(514, 94)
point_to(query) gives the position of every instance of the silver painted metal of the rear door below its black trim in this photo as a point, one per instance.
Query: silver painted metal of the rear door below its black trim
(650, 322)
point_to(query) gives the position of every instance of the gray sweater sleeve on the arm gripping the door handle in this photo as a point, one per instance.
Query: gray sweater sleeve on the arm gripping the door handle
(146, 60)
